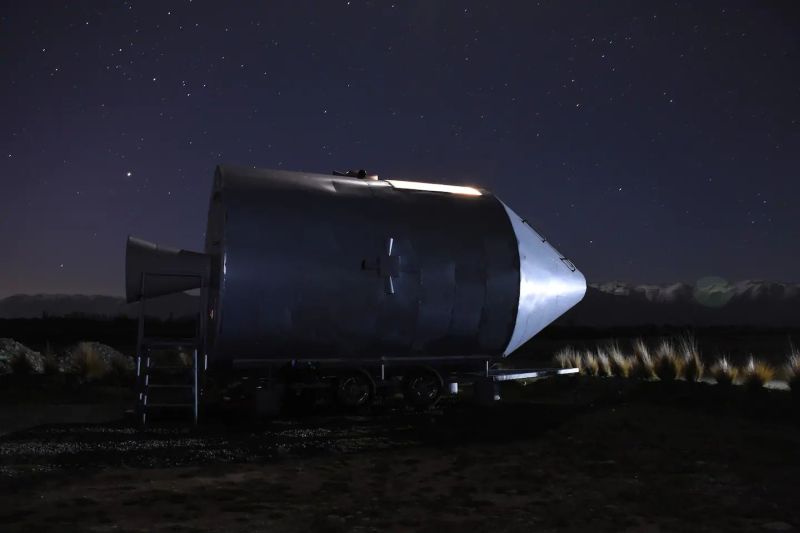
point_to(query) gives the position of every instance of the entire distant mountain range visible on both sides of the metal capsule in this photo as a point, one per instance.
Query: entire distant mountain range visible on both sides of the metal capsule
(710, 302)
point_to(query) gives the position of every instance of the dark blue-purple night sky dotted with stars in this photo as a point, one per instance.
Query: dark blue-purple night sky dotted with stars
(649, 141)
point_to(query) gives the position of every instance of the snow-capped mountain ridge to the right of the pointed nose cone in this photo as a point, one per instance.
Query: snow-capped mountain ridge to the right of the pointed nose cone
(745, 303)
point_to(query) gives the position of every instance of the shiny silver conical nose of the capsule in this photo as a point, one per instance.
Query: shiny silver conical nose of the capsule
(549, 283)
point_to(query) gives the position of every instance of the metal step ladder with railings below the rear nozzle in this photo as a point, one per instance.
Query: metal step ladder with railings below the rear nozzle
(170, 387)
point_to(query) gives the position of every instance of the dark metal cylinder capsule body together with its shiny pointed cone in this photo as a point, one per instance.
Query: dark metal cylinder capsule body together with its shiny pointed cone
(321, 266)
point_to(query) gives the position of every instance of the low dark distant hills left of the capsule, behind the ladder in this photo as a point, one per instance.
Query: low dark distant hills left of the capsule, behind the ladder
(94, 306)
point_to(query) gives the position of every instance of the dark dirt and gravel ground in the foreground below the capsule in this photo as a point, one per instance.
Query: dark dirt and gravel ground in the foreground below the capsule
(583, 455)
